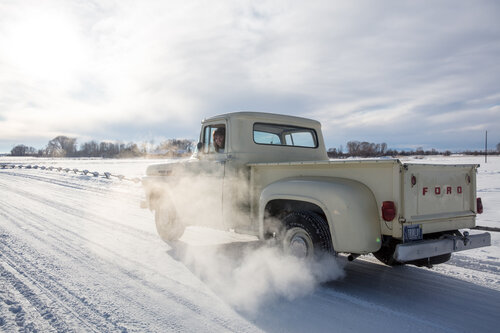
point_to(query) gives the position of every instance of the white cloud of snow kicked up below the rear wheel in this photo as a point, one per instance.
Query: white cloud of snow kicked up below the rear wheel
(249, 277)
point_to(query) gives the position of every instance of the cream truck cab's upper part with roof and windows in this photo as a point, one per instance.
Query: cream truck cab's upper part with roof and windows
(256, 137)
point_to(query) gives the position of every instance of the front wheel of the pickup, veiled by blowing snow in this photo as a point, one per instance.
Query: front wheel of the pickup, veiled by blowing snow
(167, 224)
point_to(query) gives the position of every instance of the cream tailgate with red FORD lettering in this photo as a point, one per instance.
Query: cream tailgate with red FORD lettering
(439, 192)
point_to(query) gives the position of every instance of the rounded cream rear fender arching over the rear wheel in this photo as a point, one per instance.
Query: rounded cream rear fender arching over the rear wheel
(349, 206)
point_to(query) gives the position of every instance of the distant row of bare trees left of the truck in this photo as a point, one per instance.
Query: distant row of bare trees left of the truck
(63, 146)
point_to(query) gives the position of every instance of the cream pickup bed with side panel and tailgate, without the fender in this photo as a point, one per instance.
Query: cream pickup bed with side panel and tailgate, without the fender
(441, 197)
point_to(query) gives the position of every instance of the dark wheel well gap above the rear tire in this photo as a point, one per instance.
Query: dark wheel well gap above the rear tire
(276, 210)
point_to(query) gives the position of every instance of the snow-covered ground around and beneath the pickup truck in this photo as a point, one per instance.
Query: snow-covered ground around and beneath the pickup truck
(78, 254)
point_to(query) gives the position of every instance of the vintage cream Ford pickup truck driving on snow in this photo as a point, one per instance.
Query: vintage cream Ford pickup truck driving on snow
(271, 177)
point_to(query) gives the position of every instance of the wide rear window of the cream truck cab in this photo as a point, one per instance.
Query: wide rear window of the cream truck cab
(284, 135)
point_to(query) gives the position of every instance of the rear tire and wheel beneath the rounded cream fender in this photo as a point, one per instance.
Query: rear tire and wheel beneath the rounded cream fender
(306, 235)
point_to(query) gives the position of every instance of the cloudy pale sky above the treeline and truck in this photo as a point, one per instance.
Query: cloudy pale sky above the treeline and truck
(408, 73)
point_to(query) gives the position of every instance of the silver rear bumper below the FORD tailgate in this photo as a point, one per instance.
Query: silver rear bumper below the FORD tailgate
(431, 248)
